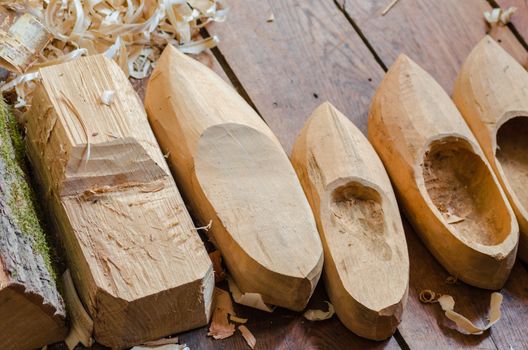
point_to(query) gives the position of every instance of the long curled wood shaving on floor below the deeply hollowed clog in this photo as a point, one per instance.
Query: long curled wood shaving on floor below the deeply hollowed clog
(464, 325)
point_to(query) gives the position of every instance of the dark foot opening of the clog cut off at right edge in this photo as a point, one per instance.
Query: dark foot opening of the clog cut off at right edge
(512, 153)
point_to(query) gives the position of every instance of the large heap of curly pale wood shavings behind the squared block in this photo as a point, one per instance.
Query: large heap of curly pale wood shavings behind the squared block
(132, 32)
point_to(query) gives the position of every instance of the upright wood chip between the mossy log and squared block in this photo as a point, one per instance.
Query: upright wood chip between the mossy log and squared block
(82, 325)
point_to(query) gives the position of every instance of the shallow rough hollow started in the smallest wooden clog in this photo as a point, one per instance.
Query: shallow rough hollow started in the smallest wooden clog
(358, 216)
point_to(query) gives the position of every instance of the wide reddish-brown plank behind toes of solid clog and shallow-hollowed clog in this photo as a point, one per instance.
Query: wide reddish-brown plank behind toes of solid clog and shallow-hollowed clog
(307, 55)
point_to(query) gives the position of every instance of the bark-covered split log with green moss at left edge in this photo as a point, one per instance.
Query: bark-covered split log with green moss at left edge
(32, 312)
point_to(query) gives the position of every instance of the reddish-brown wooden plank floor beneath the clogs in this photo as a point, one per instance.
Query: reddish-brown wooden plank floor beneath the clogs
(318, 50)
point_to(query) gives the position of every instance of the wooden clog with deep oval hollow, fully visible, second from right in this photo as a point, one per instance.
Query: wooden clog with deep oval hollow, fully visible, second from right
(445, 183)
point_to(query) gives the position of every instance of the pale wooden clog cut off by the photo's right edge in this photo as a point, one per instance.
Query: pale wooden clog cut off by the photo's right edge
(491, 92)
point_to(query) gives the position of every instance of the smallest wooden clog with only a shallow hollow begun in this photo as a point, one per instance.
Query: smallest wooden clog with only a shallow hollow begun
(366, 268)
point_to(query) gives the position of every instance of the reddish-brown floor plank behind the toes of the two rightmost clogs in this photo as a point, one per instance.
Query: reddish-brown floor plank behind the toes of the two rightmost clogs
(438, 35)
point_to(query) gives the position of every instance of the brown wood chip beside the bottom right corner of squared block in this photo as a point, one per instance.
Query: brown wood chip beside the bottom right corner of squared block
(220, 327)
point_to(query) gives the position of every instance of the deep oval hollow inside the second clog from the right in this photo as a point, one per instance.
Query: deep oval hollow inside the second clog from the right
(462, 188)
